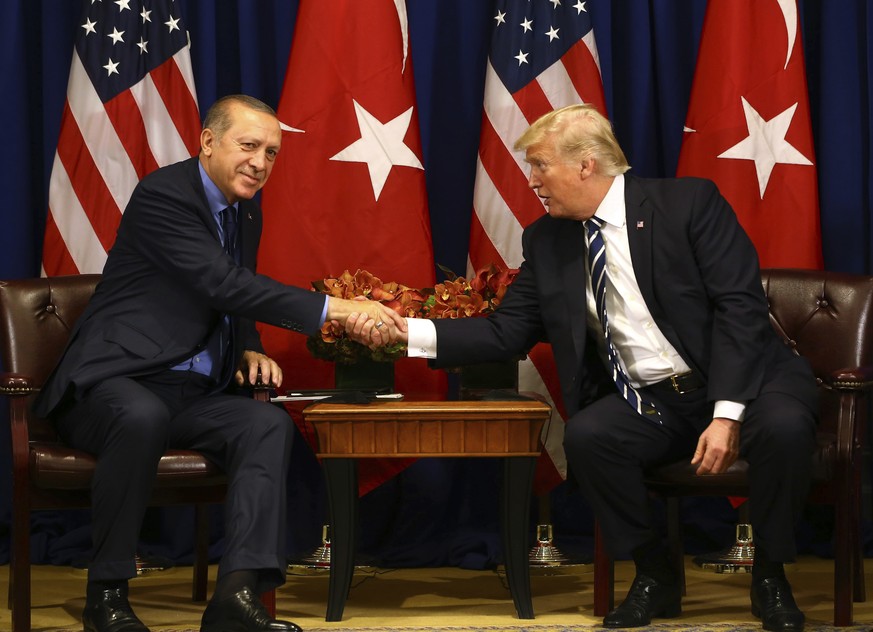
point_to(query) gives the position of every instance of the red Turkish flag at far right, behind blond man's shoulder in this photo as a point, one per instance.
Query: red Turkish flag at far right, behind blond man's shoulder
(748, 127)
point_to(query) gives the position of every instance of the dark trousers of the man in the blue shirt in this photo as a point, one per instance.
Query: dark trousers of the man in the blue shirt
(128, 423)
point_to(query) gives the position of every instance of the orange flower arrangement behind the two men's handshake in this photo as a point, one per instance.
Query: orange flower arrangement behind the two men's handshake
(456, 297)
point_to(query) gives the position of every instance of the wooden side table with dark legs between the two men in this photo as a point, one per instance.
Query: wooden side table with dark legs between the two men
(507, 429)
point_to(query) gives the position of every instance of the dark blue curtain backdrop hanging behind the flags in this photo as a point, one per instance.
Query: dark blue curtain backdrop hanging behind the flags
(647, 51)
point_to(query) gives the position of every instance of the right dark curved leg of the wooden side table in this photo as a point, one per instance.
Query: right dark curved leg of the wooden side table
(517, 482)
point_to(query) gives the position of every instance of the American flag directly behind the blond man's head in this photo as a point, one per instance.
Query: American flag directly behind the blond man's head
(543, 56)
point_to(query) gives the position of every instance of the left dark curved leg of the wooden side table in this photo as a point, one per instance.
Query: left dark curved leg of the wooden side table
(341, 478)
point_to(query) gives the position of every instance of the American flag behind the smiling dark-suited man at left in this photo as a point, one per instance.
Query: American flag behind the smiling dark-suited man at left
(131, 108)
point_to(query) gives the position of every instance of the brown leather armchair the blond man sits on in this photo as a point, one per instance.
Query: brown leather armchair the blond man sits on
(827, 317)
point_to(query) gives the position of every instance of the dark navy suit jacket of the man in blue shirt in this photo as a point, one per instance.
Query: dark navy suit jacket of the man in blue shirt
(166, 284)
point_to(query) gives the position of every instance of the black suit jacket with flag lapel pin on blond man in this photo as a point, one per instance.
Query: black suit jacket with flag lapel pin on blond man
(697, 270)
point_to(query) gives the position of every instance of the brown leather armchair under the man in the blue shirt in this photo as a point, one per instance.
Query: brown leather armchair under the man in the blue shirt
(36, 316)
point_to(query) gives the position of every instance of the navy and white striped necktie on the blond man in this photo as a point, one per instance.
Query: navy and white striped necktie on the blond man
(597, 267)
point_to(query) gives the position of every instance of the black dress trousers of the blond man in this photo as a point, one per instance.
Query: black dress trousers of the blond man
(609, 447)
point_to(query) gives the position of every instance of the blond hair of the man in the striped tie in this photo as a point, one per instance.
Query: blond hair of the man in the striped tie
(578, 132)
